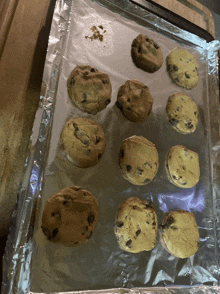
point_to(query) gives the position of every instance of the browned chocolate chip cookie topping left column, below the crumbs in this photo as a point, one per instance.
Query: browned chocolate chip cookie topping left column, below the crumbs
(89, 89)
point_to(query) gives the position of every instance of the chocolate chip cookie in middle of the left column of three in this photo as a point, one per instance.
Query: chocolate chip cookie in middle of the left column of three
(83, 141)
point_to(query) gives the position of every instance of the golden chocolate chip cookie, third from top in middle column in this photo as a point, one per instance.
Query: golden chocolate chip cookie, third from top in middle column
(138, 160)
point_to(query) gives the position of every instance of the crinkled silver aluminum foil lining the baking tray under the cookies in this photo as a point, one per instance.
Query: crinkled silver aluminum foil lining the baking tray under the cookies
(37, 265)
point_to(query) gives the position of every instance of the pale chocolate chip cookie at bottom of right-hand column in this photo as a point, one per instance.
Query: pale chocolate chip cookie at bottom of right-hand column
(180, 234)
